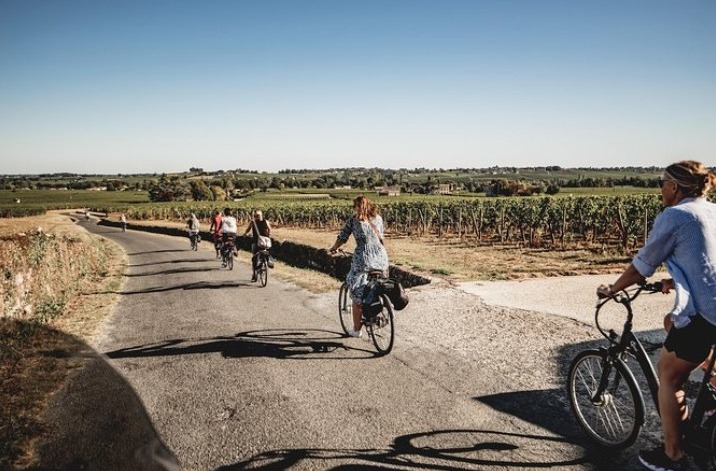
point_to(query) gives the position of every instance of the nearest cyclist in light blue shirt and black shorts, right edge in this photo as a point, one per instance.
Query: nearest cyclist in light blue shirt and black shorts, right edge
(684, 237)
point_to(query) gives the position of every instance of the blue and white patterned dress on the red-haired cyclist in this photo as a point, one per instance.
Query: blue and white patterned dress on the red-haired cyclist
(369, 255)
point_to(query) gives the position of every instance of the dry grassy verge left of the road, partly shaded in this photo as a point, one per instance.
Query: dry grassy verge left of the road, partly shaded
(48, 290)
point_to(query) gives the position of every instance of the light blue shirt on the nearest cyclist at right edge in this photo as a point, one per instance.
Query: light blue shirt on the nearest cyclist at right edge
(684, 236)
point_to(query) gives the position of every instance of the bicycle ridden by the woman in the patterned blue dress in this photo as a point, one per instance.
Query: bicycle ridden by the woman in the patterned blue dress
(380, 327)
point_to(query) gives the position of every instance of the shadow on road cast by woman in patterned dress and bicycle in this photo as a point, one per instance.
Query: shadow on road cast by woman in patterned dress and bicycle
(284, 344)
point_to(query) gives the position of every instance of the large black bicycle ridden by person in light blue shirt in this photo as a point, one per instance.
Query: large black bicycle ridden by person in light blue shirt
(607, 400)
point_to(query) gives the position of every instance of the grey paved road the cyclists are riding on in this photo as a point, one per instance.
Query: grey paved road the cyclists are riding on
(233, 376)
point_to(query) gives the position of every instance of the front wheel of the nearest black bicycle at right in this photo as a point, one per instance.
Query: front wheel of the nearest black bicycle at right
(612, 417)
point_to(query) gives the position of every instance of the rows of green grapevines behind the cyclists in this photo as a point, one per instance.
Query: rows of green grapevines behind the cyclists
(554, 222)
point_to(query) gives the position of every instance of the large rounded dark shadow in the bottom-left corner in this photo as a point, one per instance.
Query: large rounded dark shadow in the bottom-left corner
(95, 421)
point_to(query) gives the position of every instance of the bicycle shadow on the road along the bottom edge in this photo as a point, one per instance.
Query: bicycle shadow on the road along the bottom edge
(433, 450)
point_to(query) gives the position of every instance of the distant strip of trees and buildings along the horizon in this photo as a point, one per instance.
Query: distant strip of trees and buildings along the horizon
(220, 185)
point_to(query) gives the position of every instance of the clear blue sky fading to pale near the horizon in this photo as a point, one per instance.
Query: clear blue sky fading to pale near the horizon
(129, 86)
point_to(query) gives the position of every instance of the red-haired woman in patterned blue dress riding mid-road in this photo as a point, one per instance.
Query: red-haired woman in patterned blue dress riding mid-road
(366, 225)
